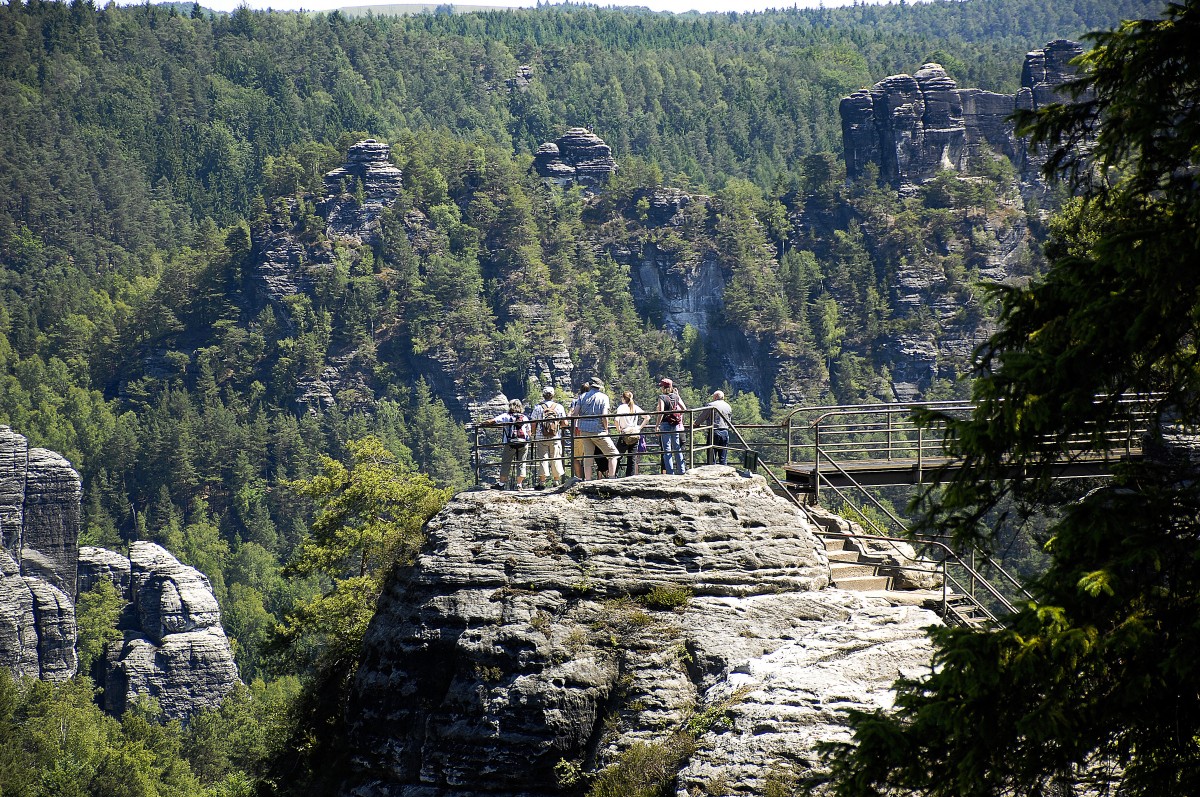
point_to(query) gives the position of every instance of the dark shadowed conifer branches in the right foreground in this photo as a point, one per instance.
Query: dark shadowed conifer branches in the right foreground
(1091, 686)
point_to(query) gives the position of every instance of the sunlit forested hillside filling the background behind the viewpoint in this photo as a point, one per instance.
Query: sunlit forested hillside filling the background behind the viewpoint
(147, 154)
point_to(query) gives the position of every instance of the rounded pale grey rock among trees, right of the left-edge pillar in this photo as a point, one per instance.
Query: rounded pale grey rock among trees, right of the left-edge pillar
(175, 649)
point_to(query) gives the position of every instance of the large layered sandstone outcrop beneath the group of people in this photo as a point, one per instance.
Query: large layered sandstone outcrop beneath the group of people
(555, 631)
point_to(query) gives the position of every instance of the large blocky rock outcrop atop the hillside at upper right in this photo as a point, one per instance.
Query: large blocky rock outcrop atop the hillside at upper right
(915, 127)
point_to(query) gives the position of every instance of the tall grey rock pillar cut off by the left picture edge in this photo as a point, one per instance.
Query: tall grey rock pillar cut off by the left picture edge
(39, 537)
